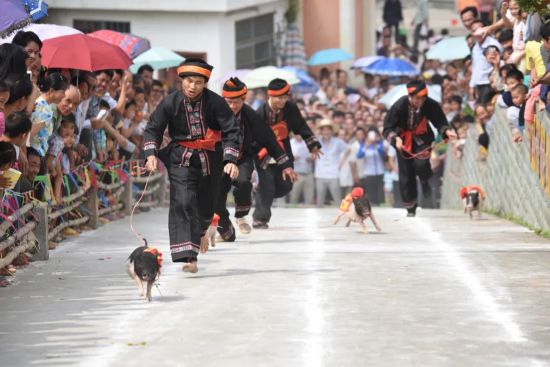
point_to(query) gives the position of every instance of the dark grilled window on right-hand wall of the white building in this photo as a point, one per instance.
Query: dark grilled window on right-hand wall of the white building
(255, 42)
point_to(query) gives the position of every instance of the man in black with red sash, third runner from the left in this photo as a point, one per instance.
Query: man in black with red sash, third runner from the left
(282, 116)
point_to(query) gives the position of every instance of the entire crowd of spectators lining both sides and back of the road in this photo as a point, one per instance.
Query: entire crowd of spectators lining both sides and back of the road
(53, 121)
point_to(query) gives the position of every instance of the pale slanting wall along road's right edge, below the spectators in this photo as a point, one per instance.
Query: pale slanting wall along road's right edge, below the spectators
(515, 176)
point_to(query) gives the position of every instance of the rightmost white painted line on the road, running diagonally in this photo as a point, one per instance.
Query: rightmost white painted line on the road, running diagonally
(482, 296)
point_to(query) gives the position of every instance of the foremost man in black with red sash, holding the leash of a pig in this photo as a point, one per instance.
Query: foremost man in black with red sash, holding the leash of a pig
(205, 135)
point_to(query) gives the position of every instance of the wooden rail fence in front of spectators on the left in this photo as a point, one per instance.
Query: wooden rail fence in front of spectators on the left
(30, 220)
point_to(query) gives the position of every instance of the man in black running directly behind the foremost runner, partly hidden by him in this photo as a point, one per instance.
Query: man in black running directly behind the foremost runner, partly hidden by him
(256, 137)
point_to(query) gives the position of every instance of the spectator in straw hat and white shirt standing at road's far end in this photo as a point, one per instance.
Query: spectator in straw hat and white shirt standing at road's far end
(327, 167)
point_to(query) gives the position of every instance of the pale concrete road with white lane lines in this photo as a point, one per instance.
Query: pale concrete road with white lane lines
(436, 290)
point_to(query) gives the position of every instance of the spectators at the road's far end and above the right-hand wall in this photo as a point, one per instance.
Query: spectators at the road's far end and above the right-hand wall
(508, 68)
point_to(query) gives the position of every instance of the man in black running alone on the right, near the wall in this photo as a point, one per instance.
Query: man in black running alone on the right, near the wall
(407, 128)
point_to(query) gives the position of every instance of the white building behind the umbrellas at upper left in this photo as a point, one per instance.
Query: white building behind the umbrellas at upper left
(229, 34)
